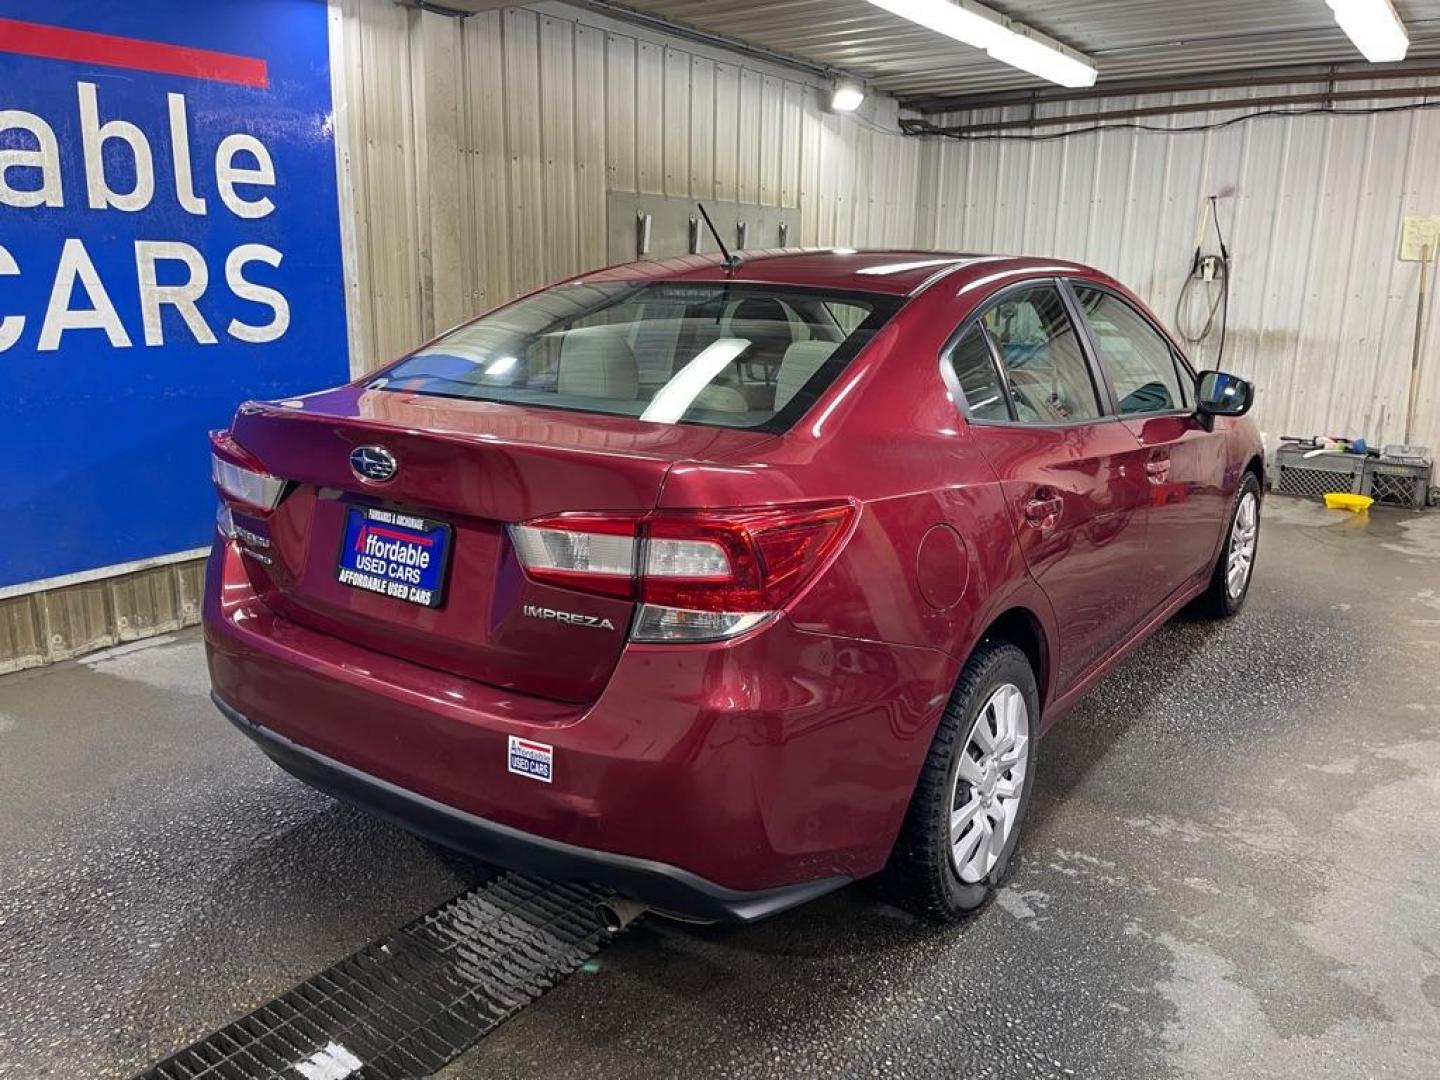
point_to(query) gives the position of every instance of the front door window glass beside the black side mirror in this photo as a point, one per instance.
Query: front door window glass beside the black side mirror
(1137, 356)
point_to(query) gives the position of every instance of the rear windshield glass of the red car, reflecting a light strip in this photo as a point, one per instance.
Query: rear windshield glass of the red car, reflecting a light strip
(728, 355)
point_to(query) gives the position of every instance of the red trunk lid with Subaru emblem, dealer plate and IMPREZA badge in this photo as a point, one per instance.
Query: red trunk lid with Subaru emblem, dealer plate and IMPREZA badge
(466, 470)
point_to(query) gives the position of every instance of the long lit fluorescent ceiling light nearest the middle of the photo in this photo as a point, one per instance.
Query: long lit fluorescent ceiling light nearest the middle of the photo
(1002, 38)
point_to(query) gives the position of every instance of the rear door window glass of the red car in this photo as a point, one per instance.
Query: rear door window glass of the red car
(1039, 348)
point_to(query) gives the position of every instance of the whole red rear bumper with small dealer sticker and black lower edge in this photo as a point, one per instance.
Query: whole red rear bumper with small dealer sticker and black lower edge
(726, 781)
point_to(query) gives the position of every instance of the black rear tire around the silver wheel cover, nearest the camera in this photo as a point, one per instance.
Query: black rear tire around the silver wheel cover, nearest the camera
(922, 876)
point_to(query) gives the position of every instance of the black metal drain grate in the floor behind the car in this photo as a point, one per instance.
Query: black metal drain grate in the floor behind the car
(410, 1004)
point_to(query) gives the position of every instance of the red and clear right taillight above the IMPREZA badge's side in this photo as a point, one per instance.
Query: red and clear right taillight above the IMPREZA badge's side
(699, 575)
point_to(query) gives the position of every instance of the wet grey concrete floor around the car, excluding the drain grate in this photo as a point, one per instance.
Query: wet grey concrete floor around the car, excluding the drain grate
(1232, 869)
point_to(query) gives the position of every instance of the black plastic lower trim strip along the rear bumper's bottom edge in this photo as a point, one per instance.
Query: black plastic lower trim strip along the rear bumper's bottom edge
(657, 885)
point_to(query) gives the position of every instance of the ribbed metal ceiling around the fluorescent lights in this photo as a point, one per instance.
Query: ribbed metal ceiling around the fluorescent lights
(1128, 40)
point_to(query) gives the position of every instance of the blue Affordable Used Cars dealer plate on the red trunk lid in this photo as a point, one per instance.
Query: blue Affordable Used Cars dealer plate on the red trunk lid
(395, 555)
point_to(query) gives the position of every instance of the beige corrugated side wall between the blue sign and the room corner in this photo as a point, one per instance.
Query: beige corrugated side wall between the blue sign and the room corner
(552, 107)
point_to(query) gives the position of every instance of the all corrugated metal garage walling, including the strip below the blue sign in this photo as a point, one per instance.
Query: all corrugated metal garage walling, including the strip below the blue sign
(476, 155)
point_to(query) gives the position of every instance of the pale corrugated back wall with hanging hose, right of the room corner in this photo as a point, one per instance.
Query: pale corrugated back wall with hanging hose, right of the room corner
(1323, 312)
